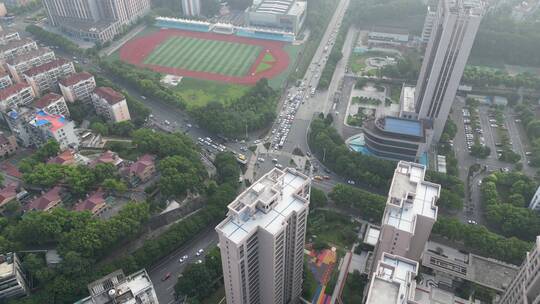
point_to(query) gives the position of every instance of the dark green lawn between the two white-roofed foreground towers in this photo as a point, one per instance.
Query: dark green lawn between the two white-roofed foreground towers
(332, 228)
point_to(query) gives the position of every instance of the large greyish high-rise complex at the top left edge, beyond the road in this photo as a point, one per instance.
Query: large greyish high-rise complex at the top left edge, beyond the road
(95, 20)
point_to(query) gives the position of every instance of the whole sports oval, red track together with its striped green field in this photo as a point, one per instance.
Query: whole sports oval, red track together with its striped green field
(209, 56)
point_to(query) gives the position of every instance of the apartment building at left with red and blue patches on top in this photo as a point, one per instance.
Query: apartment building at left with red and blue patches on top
(34, 128)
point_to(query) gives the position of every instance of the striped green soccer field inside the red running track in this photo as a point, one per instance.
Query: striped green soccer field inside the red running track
(201, 55)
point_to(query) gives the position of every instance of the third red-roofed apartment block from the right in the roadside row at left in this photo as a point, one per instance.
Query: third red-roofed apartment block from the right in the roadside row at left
(45, 77)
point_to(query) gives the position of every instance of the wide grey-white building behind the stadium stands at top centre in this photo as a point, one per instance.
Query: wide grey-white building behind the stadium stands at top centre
(287, 15)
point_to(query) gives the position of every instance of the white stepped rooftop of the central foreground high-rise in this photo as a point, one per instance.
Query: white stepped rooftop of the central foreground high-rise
(265, 204)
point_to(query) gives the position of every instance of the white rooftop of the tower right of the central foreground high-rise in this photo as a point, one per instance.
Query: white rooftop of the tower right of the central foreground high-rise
(410, 196)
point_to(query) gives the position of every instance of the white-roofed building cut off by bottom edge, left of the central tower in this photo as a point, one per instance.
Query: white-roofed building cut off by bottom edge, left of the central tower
(116, 287)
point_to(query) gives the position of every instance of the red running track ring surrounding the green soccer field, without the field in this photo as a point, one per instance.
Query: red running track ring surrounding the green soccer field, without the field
(138, 49)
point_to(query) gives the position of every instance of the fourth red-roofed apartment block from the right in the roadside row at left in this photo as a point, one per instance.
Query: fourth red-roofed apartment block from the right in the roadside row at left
(22, 63)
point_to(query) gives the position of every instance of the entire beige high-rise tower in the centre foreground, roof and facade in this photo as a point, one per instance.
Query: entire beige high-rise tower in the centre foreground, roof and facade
(262, 239)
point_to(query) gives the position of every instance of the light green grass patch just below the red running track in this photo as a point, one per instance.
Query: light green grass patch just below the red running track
(199, 92)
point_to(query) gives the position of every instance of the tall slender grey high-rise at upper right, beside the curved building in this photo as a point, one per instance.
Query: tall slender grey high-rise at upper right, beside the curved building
(452, 28)
